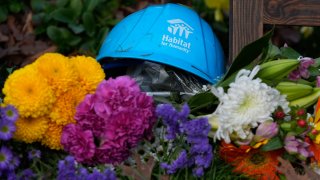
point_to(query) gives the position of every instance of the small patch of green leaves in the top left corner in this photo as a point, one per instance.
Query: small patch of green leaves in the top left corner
(9, 6)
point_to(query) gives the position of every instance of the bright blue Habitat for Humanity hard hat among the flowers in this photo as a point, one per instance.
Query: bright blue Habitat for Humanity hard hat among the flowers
(170, 34)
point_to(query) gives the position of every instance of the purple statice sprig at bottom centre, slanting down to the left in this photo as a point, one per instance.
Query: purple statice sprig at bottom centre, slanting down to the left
(181, 162)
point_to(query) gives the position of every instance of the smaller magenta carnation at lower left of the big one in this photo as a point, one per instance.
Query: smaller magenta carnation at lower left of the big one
(78, 142)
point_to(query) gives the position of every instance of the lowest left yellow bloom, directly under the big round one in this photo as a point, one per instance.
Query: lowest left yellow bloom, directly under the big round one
(30, 130)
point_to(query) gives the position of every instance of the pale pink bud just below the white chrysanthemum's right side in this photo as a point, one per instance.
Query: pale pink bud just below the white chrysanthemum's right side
(266, 130)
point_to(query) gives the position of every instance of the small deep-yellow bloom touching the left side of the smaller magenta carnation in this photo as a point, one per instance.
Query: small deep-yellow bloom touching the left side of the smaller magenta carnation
(52, 136)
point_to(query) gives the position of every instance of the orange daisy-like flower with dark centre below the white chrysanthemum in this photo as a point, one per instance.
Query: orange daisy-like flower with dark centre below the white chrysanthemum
(254, 163)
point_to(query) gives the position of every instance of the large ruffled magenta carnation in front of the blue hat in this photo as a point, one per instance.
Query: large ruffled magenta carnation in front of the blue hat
(119, 115)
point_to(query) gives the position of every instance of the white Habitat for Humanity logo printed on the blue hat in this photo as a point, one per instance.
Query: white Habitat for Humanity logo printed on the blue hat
(179, 34)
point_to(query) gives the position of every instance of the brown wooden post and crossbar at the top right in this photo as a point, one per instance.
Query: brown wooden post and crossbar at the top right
(248, 16)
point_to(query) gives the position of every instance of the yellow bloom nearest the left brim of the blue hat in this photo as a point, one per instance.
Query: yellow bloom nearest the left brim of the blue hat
(90, 72)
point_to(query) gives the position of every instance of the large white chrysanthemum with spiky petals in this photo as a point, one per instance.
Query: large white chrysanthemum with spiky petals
(247, 103)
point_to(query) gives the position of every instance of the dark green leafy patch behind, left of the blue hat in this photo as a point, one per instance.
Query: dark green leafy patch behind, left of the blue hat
(75, 25)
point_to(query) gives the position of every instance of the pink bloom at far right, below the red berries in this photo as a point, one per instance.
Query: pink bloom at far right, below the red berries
(294, 145)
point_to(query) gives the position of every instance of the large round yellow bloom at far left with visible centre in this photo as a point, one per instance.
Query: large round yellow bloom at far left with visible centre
(28, 92)
